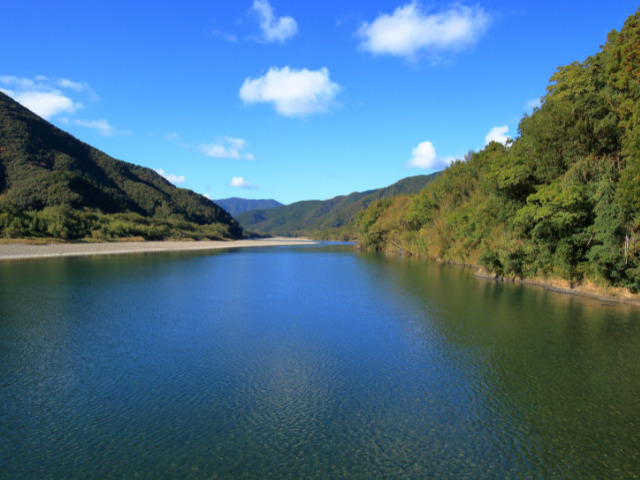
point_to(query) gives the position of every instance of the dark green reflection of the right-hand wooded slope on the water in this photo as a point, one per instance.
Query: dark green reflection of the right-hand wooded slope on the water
(553, 377)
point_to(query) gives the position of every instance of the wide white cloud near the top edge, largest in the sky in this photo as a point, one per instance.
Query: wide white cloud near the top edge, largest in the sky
(411, 28)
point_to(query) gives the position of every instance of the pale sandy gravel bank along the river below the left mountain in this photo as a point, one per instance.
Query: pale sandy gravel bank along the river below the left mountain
(21, 251)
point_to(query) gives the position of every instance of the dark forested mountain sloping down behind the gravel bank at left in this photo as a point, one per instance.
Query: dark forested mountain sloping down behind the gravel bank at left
(52, 184)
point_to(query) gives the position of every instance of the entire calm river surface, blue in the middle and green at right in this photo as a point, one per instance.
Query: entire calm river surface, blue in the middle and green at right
(312, 362)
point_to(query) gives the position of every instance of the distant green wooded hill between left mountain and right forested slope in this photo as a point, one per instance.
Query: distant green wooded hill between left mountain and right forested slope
(328, 219)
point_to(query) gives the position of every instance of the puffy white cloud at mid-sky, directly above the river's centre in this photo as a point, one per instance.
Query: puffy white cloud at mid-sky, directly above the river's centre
(294, 93)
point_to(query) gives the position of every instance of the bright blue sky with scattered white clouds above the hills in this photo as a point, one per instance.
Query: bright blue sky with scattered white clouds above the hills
(286, 99)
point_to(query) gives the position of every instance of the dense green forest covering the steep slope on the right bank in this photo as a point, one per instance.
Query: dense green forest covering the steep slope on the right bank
(561, 201)
